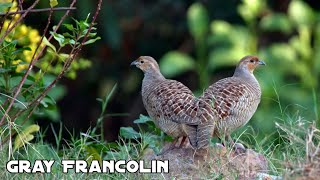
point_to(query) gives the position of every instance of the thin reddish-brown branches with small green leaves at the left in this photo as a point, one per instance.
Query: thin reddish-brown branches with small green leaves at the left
(78, 36)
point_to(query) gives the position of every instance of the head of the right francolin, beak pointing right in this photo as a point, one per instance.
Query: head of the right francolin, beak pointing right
(250, 63)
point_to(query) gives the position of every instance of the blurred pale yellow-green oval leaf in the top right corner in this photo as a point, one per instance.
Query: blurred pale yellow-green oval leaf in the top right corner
(301, 13)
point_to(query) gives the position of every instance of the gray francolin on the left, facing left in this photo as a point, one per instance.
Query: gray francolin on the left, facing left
(168, 102)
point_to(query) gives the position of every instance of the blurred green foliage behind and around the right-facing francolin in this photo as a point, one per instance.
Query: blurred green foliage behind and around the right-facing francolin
(293, 63)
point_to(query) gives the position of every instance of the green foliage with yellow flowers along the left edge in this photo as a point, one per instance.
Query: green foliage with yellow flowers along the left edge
(27, 88)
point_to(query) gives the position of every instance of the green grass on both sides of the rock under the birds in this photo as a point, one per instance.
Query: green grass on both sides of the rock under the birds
(295, 151)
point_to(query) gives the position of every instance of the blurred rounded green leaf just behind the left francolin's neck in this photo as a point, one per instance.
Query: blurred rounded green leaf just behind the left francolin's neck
(175, 63)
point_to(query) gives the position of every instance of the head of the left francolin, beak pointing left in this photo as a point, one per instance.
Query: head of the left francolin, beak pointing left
(146, 64)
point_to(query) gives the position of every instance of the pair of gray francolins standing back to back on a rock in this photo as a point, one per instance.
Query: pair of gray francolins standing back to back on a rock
(225, 106)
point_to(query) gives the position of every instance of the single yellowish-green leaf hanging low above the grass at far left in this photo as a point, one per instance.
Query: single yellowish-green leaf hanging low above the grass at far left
(25, 136)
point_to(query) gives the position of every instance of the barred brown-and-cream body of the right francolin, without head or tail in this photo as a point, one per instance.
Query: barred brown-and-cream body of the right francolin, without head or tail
(234, 102)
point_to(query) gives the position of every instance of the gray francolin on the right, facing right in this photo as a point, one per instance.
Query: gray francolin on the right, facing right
(232, 100)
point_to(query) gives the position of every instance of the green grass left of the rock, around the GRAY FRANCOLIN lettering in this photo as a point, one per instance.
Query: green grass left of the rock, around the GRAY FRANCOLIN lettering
(85, 147)
